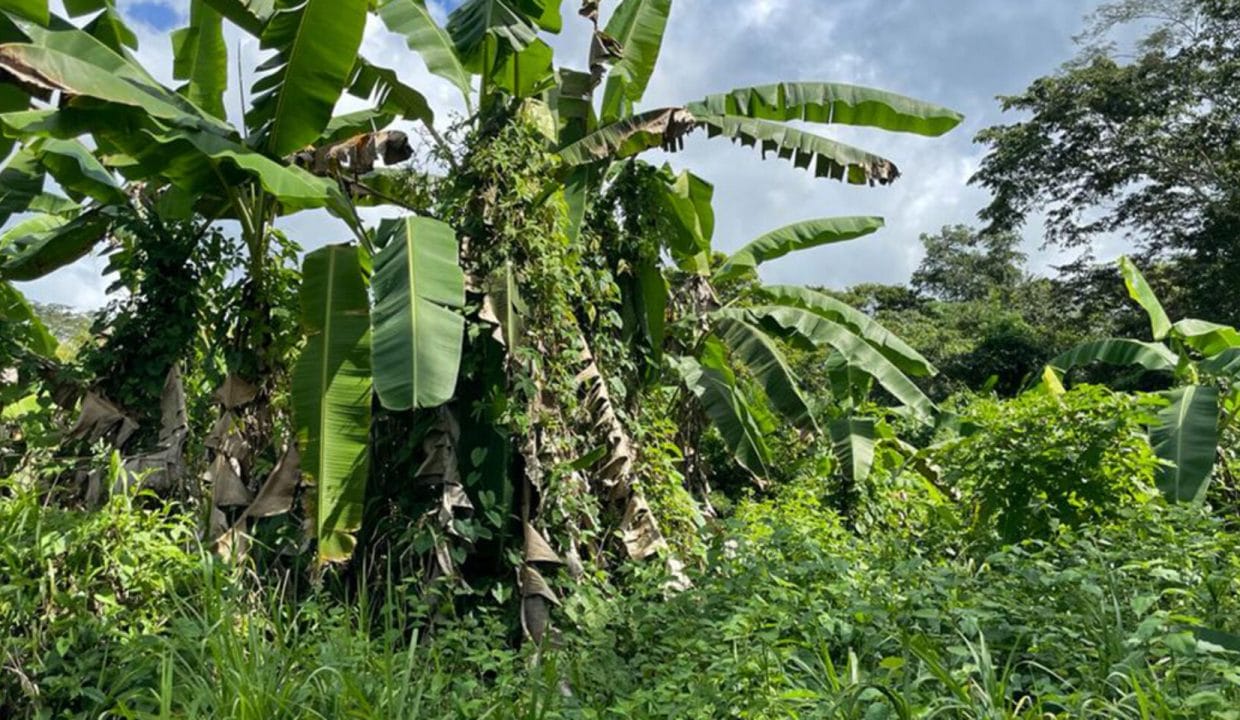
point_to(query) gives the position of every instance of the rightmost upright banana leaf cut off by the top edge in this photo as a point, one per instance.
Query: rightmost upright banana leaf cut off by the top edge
(638, 27)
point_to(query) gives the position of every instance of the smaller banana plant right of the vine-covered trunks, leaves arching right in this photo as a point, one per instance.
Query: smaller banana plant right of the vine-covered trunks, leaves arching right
(738, 370)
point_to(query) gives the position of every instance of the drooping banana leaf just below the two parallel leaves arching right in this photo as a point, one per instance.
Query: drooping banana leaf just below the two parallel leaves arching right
(755, 349)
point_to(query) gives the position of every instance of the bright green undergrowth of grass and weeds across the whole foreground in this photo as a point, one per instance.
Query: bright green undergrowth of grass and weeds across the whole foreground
(118, 614)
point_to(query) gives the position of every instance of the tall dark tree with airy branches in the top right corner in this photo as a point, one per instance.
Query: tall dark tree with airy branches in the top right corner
(1143, 144)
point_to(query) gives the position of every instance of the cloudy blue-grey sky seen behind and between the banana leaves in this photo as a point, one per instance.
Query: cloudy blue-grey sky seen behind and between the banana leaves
(960, 54)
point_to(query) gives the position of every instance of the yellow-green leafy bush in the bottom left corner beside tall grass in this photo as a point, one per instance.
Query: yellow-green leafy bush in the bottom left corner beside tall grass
(79, 592)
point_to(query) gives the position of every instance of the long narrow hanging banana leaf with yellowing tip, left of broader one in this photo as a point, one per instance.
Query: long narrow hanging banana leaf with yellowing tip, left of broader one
(333, 395)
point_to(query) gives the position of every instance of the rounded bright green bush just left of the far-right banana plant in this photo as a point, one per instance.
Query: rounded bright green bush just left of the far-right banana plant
(1026, 467)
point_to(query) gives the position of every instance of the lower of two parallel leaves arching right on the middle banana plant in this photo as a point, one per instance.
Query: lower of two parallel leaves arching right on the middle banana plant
(821, 333)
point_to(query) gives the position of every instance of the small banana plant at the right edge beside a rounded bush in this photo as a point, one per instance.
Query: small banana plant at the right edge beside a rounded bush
(1205, 360)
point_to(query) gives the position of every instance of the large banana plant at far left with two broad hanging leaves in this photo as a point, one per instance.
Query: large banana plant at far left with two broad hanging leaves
(118, 137)
